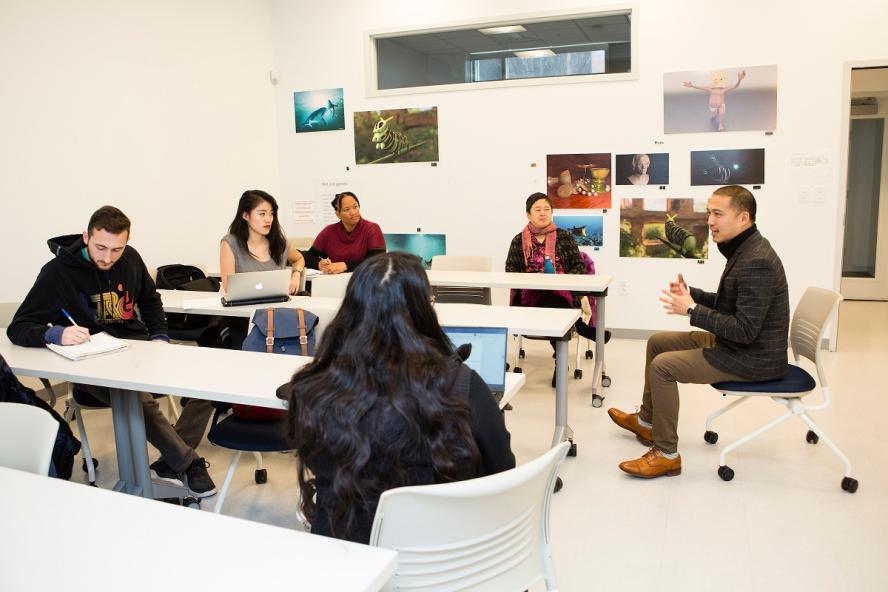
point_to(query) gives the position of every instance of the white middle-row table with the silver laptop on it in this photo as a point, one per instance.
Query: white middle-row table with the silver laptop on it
(540, 322)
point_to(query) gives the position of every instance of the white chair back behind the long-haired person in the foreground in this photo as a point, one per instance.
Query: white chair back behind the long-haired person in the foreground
(485, 534)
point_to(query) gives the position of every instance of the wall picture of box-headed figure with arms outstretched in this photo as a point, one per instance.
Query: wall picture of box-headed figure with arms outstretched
(728, 99)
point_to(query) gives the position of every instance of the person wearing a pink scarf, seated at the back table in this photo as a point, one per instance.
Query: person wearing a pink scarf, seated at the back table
(542, 247)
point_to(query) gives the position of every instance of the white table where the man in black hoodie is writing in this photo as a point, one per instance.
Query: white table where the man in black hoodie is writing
(229, 376)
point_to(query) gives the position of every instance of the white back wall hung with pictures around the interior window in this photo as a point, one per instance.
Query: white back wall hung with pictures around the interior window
(489, 138)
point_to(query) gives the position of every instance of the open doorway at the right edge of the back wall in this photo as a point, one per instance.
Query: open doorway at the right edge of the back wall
(865, 244)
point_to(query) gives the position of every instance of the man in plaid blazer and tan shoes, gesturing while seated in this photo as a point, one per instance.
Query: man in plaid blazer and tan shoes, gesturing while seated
(743, 337)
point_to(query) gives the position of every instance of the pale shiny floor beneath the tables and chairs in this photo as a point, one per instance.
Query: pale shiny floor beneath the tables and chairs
(783, 523)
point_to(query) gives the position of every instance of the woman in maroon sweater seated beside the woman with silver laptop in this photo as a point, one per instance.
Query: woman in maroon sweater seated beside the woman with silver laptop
(343, 246)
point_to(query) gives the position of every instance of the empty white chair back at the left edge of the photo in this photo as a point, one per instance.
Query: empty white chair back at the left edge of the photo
(27, 436)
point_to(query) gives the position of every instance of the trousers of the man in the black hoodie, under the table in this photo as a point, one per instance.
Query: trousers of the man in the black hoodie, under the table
(176, 444)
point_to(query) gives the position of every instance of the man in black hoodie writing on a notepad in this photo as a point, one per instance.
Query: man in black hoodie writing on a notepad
(104, 285)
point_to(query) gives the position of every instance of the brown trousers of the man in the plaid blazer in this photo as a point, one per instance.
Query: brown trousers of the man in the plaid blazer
(673, 357)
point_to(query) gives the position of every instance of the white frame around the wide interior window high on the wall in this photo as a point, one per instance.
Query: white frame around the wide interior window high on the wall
(371, 81)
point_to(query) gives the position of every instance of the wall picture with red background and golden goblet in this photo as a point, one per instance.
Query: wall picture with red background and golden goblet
(579, 181)
